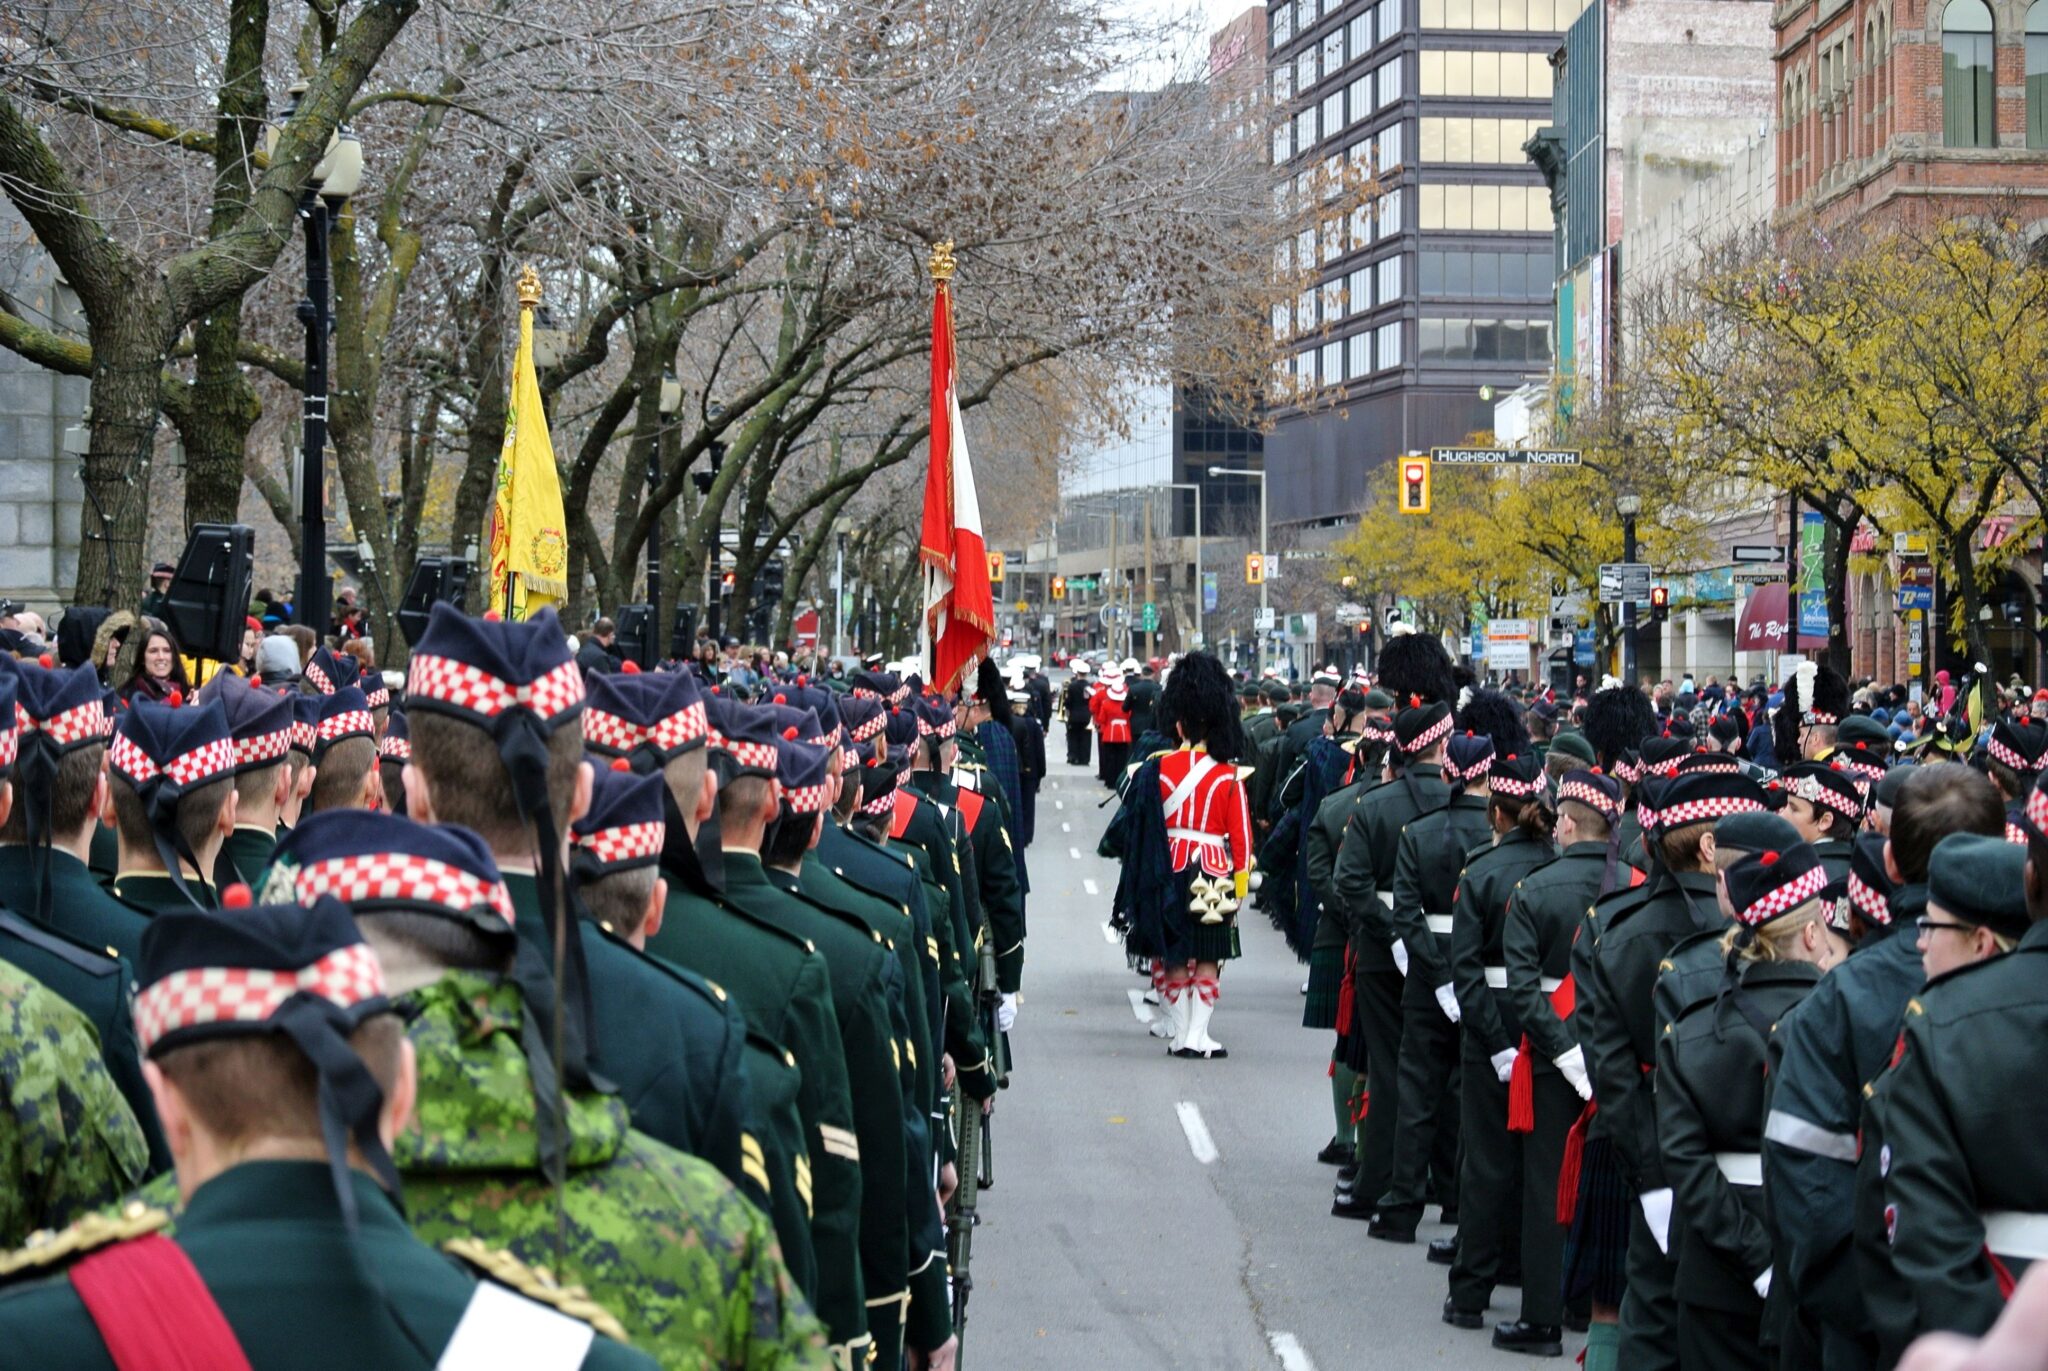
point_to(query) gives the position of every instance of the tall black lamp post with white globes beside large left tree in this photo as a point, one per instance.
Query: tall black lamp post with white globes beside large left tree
(335, 179)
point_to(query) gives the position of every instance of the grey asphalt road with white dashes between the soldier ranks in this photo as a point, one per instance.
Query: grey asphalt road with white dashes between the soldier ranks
(1115, 1237)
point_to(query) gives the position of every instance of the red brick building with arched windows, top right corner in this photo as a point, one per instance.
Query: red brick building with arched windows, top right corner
(1910, 108)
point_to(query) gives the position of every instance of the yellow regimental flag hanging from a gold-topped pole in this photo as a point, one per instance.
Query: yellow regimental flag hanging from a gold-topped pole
(529, 530)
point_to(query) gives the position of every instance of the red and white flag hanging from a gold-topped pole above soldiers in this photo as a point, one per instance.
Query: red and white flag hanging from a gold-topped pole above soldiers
(959, 612)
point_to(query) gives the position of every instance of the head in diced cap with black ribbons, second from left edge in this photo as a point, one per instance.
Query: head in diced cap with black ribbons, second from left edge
(173, 800)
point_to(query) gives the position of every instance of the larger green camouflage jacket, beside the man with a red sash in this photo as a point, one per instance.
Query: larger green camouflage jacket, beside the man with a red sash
(656, 1237)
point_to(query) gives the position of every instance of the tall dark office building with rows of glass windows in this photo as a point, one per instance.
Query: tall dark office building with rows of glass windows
(1431, 276)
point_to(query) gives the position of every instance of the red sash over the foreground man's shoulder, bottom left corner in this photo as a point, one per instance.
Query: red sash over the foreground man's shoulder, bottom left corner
(155, 1313)
